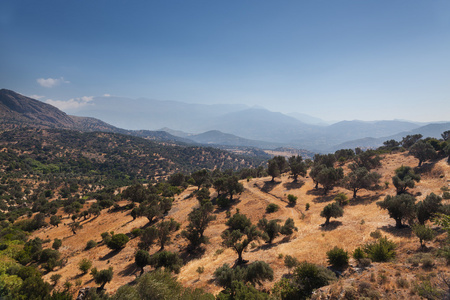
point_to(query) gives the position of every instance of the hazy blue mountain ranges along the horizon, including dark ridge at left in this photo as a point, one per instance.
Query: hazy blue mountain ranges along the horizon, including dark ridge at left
(218, 124)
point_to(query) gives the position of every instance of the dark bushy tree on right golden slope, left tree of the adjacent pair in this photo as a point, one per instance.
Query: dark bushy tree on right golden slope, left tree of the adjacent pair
(400, 207)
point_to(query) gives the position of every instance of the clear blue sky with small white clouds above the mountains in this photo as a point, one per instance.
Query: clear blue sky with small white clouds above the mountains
(331, 59)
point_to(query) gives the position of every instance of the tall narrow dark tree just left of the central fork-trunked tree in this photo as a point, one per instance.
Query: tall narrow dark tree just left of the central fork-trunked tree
(199, 220)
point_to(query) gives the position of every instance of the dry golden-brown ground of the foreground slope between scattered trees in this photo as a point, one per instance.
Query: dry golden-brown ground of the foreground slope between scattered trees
(361, 217)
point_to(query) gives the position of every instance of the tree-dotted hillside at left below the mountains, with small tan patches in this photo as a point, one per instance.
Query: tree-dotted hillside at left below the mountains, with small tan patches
(114, 155)
